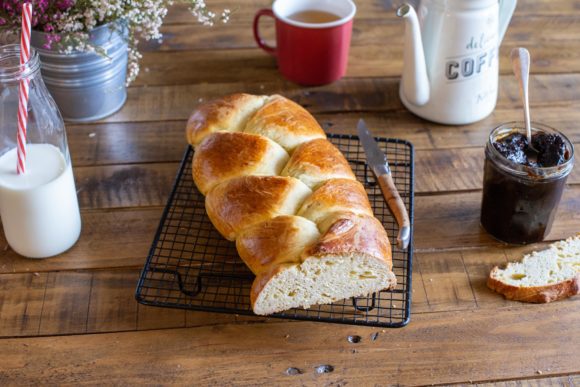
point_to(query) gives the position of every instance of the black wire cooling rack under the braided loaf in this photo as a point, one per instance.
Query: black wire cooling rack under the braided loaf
(191, 266)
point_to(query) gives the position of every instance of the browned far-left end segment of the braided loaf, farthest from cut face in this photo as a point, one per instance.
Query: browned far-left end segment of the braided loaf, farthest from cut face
(229, 113)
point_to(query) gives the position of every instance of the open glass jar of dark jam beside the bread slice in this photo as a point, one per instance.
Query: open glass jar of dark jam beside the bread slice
(522, 187)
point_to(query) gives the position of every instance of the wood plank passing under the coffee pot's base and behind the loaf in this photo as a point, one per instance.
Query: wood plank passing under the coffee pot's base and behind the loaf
(107, 143)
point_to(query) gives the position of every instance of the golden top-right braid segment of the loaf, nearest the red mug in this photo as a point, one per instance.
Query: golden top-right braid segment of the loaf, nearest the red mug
(284, 122)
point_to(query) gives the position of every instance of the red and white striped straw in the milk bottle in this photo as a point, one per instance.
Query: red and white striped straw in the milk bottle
(24, 88)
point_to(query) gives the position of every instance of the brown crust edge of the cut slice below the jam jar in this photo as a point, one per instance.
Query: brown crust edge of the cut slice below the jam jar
(535, 294)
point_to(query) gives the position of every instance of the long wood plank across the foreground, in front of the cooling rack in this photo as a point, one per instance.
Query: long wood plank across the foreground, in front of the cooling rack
(486, 346)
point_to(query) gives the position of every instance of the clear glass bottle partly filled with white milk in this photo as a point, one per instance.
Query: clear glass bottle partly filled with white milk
(39, 209)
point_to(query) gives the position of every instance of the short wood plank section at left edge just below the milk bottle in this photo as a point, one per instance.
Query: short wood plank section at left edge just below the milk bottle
(21, 300)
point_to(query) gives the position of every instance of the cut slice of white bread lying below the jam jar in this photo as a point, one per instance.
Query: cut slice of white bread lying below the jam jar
(544, 276)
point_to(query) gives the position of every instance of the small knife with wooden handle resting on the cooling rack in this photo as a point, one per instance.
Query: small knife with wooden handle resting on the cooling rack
(377, 160)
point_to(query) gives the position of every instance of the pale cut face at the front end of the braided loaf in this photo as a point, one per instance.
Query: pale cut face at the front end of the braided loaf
(320, 280)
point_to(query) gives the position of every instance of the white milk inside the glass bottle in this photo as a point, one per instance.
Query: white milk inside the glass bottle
(39, 210)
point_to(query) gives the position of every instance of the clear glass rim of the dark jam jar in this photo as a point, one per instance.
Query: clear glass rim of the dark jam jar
(526, 170)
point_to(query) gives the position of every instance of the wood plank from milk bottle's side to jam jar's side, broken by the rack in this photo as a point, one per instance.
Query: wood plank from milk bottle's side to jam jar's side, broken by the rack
(142, 185)
